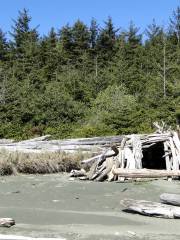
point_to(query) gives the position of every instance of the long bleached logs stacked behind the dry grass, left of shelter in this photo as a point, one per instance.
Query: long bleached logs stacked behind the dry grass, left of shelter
(41, 144)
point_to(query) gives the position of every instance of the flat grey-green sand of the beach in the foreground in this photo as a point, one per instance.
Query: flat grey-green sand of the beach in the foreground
(52, 206)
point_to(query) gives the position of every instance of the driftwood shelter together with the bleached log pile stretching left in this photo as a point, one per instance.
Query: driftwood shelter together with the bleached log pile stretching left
(115, 157)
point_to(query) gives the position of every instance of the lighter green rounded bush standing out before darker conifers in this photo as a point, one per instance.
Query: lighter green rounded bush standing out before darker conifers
(113, 108)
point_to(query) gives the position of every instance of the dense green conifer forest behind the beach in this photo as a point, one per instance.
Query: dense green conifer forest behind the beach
(82, 81)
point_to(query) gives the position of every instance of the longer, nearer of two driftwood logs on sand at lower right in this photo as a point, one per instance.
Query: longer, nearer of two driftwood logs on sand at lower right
(152, 209)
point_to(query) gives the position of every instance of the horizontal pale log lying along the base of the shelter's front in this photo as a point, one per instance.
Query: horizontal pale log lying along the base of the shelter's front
(145, 173)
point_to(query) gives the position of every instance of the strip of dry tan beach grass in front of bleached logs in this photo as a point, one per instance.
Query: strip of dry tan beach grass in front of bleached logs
(39, 163)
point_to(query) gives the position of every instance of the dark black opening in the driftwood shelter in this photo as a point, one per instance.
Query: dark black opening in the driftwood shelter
(153, 157)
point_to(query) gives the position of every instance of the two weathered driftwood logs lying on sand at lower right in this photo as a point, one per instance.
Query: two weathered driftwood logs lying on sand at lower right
(154, 209)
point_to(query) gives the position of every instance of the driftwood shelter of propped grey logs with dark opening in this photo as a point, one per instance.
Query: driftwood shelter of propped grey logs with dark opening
(136, 156)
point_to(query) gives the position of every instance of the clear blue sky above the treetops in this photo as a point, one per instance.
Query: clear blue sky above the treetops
(57, 13)
